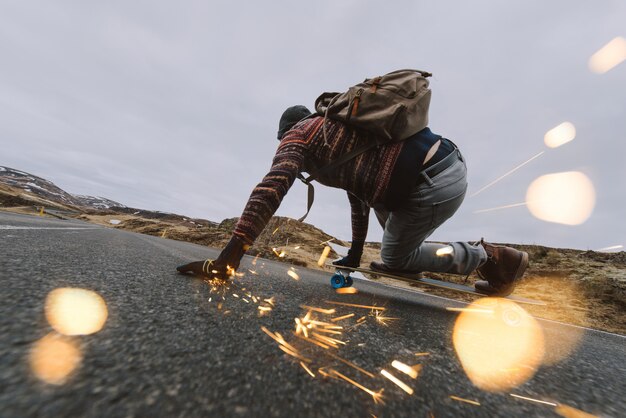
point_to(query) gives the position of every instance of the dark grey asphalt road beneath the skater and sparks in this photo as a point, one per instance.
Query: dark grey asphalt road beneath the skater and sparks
(166, 350)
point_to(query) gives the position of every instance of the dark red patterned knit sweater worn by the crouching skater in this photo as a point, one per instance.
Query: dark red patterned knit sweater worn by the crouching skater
(303, 148)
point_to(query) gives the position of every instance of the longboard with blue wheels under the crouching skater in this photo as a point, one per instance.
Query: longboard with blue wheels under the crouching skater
(342, 278)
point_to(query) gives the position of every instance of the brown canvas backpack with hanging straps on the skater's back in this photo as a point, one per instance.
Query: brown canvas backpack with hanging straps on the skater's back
(391, 107)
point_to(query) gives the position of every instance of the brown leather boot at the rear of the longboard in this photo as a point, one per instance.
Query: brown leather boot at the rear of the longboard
(503, 268)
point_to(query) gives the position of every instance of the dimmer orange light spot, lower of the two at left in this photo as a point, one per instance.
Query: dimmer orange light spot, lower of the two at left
(53, 358)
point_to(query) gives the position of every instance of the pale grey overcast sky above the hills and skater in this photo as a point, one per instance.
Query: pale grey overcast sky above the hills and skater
(174, 106)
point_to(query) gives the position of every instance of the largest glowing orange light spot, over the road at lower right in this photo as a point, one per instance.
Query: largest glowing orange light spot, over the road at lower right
(498, 350)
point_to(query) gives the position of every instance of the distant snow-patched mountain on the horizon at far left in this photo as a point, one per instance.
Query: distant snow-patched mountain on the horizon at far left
(41, 188)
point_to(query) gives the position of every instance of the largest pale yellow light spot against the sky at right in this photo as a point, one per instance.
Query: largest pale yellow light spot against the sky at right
(566, 198)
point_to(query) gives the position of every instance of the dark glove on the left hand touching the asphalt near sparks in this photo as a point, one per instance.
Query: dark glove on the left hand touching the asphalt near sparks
(223, 268)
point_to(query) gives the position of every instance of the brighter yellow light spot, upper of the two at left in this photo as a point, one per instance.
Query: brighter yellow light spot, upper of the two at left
(72, 311)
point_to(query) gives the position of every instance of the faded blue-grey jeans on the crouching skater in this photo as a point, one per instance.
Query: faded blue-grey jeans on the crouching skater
(431, 202)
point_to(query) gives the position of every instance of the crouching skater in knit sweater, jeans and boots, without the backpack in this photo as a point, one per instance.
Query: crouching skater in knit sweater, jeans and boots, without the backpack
(413, 186)
